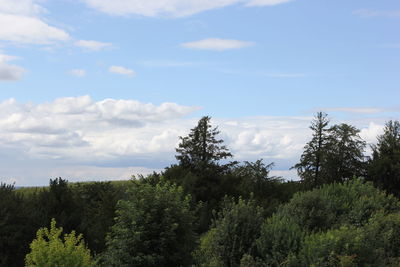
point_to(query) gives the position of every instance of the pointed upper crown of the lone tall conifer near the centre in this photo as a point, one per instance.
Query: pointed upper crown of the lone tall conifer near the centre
(201, 147)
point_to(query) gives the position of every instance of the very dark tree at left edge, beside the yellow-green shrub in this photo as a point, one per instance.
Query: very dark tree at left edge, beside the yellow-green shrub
(16, 231)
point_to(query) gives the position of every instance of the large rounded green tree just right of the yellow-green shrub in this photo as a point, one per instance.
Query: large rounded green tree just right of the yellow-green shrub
(154, 227)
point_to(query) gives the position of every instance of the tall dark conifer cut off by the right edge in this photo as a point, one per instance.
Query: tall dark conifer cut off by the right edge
(384, 166)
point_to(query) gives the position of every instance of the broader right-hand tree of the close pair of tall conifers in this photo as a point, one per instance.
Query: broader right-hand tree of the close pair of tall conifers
(345, 154)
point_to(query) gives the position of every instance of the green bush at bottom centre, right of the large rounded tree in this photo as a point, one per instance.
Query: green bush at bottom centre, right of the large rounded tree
(232, 234)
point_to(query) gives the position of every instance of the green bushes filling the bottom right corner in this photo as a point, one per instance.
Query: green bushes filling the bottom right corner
(375, 244)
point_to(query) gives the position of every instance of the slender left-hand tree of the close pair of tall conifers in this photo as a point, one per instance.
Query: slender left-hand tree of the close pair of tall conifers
(310, 166)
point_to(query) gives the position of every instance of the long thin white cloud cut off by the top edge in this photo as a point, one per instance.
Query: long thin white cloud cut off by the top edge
(169, 8)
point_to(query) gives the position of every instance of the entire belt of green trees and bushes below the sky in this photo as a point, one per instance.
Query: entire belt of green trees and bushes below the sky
(208, 210)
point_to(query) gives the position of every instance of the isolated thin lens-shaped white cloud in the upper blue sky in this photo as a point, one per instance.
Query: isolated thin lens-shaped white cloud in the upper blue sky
(217, 44)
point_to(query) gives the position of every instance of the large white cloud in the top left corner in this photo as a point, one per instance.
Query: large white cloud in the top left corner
(24, 24)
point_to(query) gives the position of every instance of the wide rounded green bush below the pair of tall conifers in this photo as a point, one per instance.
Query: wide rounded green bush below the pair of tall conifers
(331, 206)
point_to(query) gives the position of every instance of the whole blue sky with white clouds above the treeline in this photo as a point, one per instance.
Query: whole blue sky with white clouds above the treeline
(102, 89)
